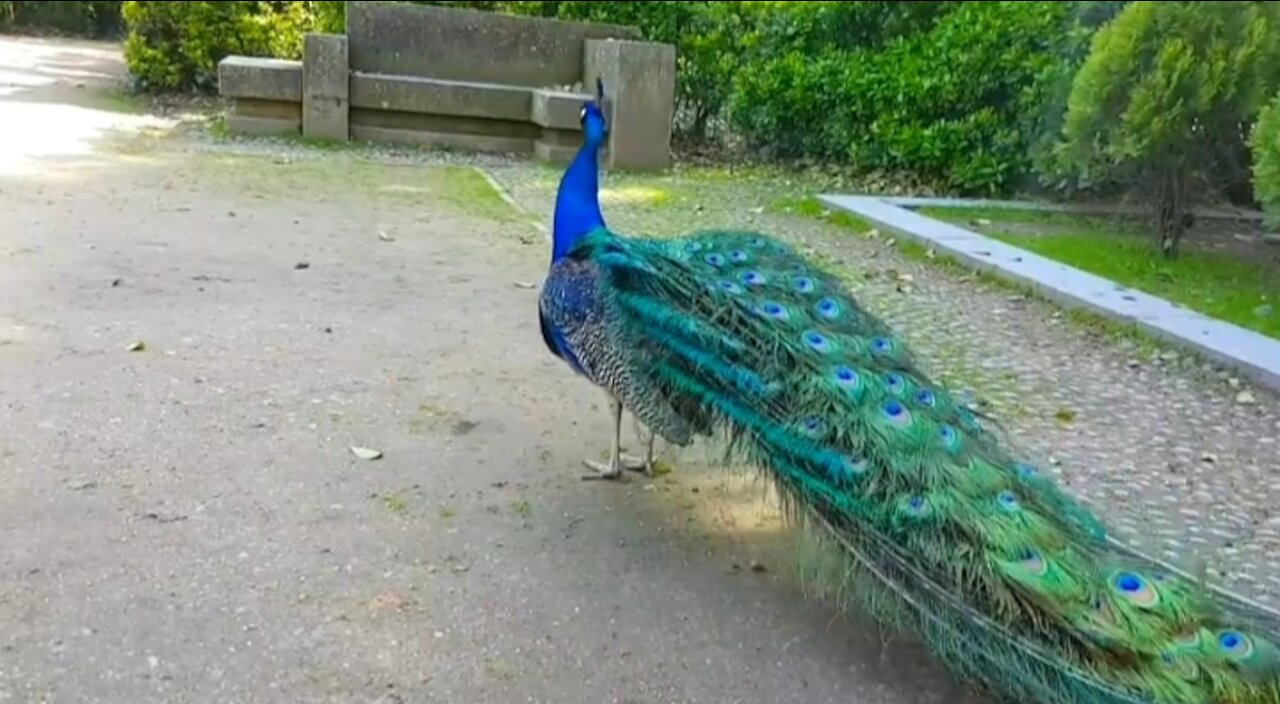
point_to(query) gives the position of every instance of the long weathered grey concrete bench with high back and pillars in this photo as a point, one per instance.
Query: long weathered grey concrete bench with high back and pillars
(465, 80)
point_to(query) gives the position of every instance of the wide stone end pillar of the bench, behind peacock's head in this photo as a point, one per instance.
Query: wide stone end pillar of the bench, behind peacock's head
(641, 98)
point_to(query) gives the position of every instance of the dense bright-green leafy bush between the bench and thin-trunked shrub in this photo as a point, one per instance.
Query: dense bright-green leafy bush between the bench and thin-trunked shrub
(947, 103)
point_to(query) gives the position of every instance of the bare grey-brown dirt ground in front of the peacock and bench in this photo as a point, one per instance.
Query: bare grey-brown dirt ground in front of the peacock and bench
(193, 344)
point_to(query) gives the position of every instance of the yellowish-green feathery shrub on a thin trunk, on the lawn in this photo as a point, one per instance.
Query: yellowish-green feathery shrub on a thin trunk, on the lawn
(1163, 104)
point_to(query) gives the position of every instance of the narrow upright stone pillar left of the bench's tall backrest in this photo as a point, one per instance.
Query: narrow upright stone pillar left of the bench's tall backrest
(326, 88)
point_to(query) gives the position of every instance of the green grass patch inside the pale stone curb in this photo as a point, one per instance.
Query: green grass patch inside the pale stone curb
(1218, 286)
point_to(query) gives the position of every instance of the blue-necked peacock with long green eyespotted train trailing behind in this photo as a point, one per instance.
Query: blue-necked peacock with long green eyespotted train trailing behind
(939, 528)
